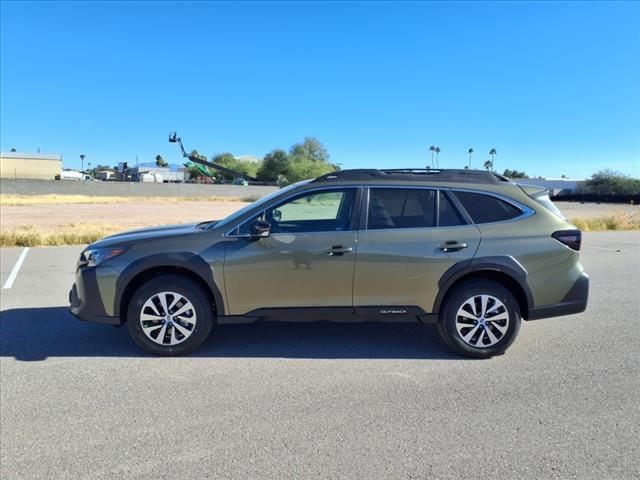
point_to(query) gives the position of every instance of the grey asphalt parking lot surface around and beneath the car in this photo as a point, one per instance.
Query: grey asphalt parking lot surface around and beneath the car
(322, 400)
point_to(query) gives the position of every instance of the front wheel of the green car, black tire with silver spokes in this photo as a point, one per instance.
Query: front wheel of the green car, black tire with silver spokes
(190, 328)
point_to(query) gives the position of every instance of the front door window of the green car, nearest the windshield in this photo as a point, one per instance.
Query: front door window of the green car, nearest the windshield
(323, 211)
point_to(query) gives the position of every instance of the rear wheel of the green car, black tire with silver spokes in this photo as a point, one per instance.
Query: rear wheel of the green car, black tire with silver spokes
(490, 337)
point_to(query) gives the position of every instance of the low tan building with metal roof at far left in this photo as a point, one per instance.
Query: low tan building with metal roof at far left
(30, 166)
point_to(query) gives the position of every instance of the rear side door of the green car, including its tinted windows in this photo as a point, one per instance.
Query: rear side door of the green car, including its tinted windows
(410, 237)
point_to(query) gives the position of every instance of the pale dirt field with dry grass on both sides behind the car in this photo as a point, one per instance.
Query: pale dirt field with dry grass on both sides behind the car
(51, 225)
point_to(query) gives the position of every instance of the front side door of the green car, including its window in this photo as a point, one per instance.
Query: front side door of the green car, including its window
(307, 260)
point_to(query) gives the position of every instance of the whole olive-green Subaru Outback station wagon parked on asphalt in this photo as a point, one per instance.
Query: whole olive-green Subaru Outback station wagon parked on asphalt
(468, 251)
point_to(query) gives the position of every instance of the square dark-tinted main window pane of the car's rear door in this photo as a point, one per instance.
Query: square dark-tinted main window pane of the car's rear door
(401, 208)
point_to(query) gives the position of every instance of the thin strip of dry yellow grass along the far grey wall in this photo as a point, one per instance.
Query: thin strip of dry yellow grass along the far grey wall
(29, 200)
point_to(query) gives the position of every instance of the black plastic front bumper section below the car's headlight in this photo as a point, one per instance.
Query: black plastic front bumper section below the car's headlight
(85, 300)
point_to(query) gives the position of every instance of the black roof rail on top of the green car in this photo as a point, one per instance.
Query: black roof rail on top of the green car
(416, 174)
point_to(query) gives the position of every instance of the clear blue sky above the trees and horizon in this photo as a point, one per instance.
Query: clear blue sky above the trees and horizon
(554, 87)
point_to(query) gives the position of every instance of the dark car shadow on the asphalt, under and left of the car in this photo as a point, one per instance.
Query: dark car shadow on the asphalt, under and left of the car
(32, 334)
